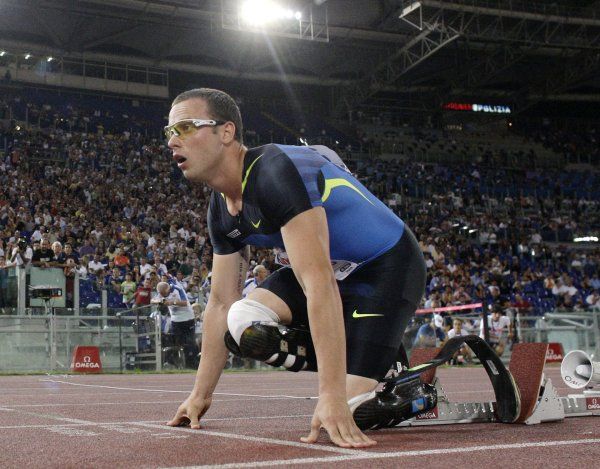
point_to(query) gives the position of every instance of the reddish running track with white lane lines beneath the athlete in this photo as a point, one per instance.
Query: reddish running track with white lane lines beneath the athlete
(256, 420)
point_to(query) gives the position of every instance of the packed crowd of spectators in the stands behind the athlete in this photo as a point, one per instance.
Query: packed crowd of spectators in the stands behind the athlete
(109, 205)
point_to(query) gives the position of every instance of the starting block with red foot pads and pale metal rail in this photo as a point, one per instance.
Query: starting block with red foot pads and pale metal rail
(540, 401)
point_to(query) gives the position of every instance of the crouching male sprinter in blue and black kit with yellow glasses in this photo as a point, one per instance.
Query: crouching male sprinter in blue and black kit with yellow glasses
(355, 275)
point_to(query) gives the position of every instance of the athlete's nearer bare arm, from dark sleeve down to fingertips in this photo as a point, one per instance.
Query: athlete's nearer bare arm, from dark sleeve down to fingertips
(306, 239)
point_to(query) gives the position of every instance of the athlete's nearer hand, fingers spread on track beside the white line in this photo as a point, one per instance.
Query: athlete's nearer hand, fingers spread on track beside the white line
(333, 414)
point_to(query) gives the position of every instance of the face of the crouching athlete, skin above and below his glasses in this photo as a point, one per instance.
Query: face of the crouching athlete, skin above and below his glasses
(199, 152)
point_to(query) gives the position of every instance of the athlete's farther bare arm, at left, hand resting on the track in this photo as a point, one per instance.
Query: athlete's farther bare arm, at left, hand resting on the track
(228, 275)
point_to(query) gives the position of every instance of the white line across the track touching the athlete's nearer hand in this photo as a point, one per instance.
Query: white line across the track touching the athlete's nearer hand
(360, 455)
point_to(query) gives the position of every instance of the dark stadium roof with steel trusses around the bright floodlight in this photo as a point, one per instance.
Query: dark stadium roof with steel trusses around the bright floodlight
(369, 52)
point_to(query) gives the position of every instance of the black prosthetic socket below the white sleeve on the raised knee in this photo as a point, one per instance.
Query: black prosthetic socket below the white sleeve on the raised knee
(262, 341)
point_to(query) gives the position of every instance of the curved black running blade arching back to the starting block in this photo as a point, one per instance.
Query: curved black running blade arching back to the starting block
(508, 397)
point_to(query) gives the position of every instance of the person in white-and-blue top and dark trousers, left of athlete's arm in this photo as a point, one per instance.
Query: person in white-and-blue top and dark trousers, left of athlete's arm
(182, 319)
